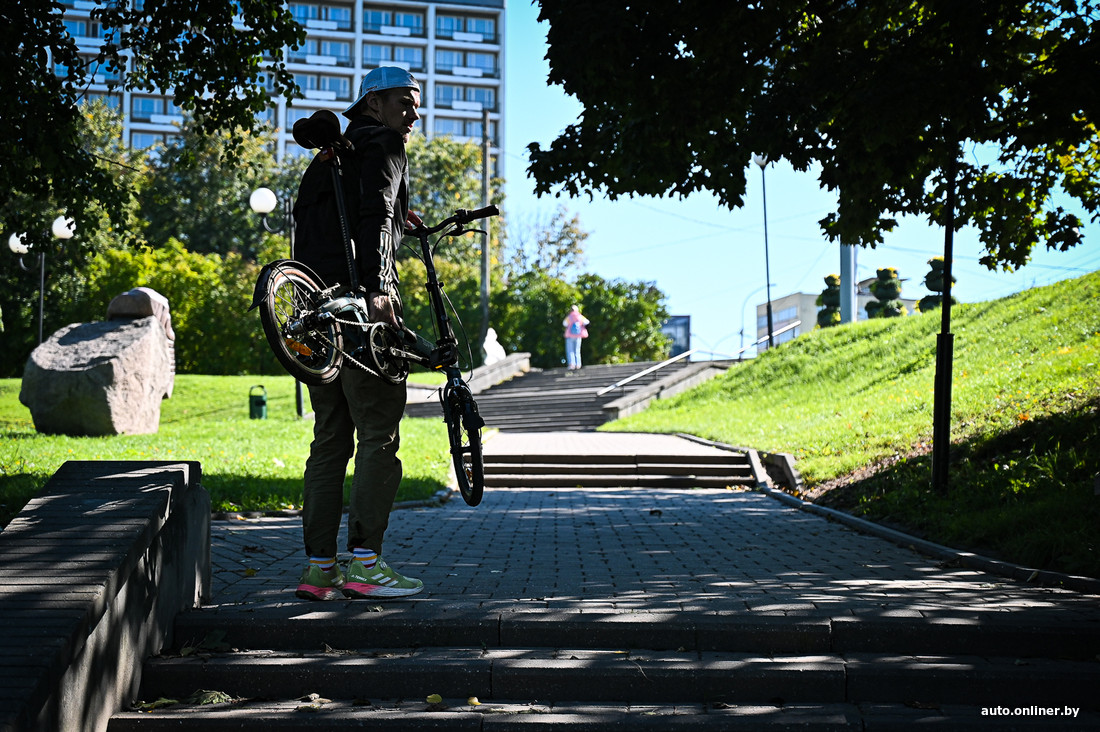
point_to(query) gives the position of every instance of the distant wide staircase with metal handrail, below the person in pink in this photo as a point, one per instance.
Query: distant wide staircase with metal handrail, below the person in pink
(562, 400)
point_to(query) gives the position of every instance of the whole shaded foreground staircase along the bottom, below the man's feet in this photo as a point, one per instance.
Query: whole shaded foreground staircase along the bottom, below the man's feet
(358, 667)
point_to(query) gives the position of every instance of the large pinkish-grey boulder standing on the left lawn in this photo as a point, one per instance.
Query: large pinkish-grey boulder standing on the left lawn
(100, 379)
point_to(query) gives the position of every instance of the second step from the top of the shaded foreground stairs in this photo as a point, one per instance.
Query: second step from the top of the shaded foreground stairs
(625, 676)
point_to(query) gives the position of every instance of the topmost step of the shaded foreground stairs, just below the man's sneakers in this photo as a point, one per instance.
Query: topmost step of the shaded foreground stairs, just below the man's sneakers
(300, 628)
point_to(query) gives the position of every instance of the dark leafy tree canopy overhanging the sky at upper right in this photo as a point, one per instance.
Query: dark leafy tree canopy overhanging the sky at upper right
(883, 95)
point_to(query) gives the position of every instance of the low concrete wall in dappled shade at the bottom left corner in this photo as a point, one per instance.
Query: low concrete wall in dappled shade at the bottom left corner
(93, 573)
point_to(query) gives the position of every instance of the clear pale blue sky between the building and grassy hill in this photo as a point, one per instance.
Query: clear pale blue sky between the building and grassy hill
(710, 261)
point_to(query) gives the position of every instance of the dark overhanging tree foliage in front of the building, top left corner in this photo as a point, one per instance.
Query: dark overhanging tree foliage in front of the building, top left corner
(208, 54)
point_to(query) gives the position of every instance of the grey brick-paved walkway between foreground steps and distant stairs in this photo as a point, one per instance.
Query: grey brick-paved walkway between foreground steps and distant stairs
(640, 550)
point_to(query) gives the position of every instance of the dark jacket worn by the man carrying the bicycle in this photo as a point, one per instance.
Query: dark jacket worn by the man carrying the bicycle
(377, 200)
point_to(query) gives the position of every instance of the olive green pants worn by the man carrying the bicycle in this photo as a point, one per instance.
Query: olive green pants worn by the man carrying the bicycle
(357, 407)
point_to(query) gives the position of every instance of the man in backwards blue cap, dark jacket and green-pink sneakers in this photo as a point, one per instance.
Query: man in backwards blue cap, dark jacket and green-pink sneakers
(359, 406)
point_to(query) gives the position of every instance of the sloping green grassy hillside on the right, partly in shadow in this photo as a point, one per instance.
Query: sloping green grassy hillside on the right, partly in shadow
(854, 406)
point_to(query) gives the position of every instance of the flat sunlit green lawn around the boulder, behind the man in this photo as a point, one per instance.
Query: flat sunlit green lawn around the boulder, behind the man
(247, 464)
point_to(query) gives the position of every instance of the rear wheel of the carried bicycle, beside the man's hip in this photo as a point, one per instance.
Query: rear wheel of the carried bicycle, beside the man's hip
(312, 355)
